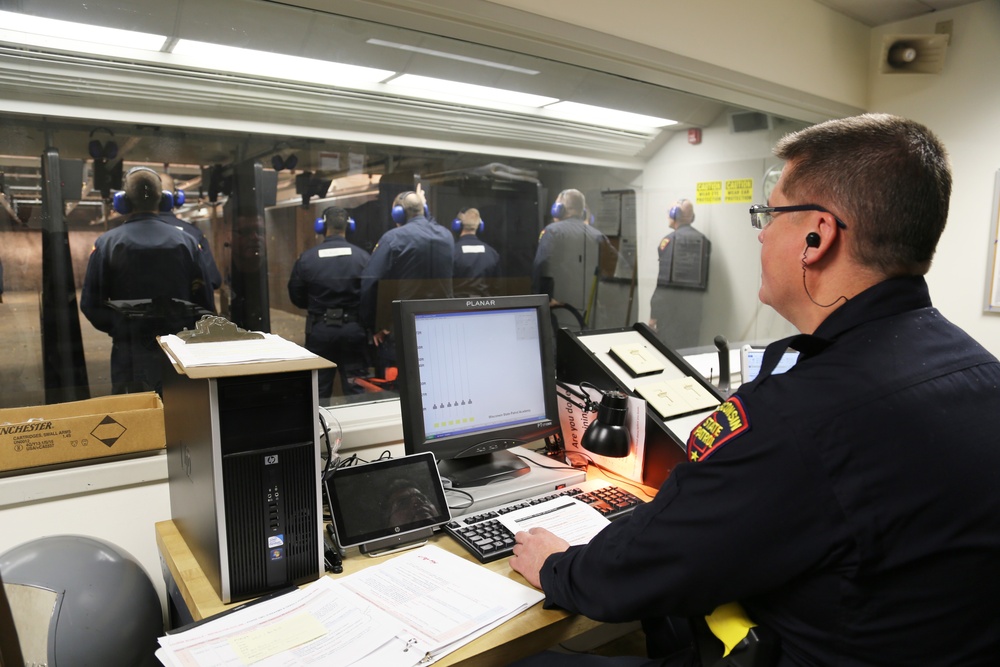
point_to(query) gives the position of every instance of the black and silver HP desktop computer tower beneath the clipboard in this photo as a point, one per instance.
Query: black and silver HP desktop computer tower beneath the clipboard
(244, 468)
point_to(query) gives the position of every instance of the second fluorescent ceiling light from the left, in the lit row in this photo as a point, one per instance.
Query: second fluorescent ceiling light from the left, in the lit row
(276, 65)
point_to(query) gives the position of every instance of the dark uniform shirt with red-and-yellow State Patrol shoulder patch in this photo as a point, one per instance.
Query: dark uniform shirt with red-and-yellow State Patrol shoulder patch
(850, 504)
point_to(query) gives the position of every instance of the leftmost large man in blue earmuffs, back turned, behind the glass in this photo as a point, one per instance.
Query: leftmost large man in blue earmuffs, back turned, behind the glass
(145, 258)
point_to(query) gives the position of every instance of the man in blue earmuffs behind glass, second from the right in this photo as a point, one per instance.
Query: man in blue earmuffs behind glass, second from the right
(568, 257)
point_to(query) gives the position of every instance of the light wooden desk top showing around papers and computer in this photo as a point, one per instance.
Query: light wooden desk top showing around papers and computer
(526, 634)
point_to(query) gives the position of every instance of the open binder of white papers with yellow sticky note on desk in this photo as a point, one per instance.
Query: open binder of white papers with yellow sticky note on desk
(412, 609)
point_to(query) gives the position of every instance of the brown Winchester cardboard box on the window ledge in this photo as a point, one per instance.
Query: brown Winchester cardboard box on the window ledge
(107, 426)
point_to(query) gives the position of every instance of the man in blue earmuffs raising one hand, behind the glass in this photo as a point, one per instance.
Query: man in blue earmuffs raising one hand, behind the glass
(412, 261)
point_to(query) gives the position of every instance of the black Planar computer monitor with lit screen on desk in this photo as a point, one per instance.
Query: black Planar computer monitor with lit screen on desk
(476, 377)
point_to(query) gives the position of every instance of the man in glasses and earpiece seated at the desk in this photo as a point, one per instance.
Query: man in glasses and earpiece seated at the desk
(850, 504)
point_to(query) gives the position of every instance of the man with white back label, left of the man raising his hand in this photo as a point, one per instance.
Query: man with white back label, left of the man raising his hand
(326, 280)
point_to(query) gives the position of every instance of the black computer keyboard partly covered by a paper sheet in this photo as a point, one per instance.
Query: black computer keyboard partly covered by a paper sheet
(487, 539)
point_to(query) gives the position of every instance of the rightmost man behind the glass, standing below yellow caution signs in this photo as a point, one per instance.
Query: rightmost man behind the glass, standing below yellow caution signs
(677, 303)
